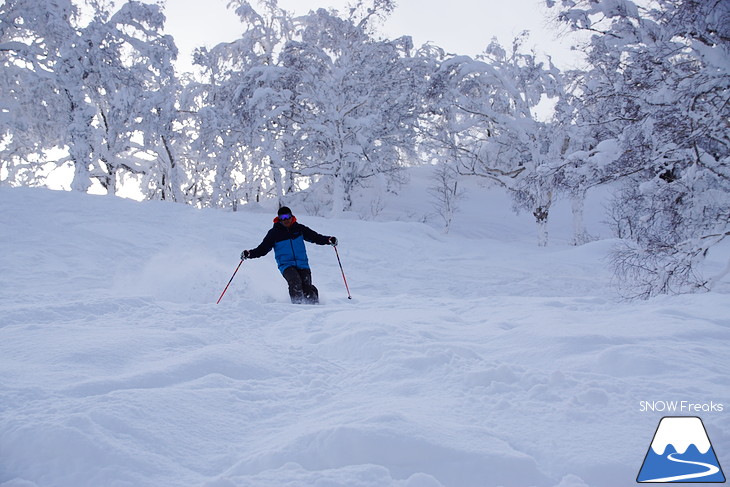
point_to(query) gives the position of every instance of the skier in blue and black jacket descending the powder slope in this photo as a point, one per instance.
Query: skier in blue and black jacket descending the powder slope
(287, 238)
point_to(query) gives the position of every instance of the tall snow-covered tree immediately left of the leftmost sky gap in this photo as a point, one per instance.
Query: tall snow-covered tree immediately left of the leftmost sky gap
(129, 78)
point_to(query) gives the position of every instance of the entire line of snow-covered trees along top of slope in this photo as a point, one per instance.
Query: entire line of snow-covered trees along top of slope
(320, 110)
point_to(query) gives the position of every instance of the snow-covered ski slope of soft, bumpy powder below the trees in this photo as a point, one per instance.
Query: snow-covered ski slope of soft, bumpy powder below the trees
(468, 359)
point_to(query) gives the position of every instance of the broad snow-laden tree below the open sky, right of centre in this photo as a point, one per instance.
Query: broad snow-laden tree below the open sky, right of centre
(490, 126)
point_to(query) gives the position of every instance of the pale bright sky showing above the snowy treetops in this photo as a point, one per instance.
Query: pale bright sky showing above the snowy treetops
(458, 26)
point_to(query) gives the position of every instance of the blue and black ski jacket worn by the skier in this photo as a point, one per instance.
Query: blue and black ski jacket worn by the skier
(288, 244)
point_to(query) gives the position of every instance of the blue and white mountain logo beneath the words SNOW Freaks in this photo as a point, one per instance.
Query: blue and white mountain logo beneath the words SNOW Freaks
(680, 452)
